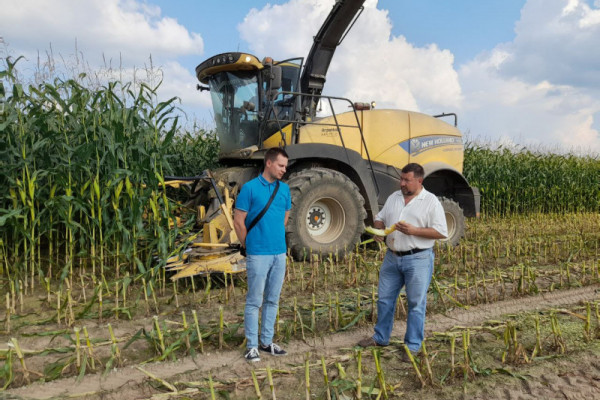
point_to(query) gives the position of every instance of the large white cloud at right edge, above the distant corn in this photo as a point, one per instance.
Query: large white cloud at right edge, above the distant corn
(533, 90)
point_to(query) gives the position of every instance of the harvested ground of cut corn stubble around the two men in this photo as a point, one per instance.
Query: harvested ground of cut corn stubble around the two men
(61, 331)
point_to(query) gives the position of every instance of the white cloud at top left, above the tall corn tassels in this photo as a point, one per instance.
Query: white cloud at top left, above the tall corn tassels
(127, 30)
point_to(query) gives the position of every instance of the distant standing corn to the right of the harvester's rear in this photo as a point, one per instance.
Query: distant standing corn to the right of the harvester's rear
(526, 182)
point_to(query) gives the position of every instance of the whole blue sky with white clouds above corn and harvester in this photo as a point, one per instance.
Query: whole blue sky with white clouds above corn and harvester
(517, 72)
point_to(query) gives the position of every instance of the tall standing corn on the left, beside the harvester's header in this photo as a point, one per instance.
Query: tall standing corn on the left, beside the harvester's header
(81, 171)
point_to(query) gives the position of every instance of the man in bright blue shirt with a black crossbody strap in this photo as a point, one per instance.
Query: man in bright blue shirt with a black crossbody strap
(265, 249)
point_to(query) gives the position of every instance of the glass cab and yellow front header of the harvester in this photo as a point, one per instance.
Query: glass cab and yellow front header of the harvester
(251, 100)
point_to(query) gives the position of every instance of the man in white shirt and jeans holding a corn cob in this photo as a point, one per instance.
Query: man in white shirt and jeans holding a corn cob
(418, 218)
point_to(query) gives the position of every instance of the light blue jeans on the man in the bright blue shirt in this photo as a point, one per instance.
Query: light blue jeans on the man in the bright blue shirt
(265, 279)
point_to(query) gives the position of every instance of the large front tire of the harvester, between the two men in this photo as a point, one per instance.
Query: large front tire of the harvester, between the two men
(327, 213)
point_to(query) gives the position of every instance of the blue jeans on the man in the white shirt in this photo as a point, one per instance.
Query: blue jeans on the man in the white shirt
(415, 272)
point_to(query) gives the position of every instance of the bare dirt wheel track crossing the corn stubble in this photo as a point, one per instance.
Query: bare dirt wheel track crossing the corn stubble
(131, 383)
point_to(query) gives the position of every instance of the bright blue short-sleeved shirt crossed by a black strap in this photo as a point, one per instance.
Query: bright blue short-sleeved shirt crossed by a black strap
(268, 235)
